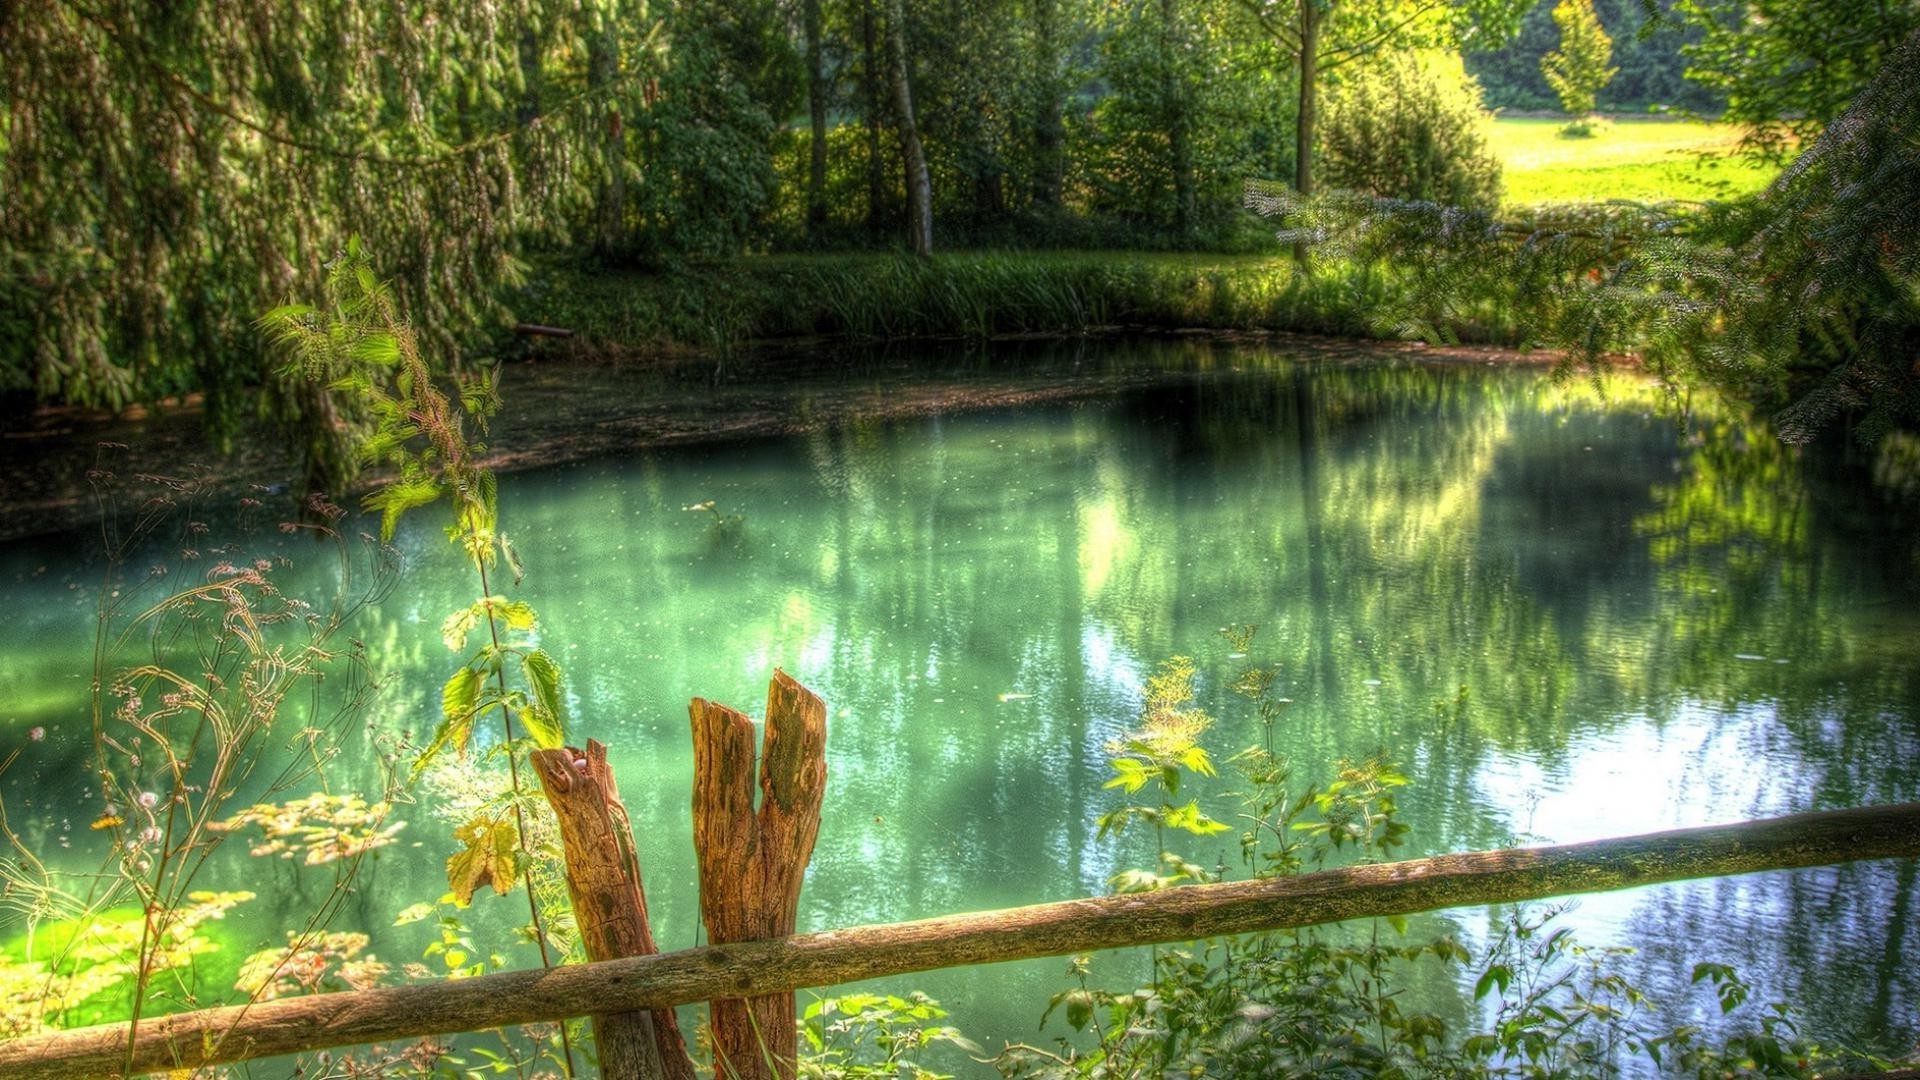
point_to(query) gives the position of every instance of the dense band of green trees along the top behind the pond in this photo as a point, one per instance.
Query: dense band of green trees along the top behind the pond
(168, 174)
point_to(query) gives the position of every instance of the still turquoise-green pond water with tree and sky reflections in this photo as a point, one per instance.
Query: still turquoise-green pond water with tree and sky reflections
(1660, 622)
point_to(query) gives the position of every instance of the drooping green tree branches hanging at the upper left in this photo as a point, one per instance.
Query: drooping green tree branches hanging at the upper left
(170, 170)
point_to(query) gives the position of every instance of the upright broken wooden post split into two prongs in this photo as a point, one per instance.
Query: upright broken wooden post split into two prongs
(754, 864)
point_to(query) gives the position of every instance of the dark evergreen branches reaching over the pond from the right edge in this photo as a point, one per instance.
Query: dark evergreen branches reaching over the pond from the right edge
(1804, 301)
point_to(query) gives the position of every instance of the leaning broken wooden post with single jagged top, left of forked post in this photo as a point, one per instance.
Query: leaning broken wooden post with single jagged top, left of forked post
(610, 906)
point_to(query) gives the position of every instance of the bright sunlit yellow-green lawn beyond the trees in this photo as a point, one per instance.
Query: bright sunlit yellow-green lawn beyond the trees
(1643, 160)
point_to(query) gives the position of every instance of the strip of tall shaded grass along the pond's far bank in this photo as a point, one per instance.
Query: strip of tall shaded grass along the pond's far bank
(974, 295)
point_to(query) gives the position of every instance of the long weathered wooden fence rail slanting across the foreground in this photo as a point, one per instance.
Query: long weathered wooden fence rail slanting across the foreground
(754, 970)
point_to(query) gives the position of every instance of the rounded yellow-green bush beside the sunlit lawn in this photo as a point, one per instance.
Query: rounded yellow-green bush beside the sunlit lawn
(1410, 126)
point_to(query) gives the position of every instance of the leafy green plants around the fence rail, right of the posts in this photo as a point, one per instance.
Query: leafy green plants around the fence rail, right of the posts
(1332, 1002)
